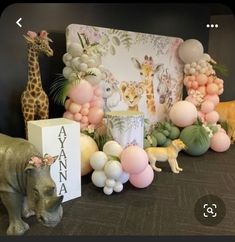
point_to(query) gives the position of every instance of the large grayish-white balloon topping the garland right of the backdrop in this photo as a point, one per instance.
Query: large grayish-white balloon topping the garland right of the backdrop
(190, 50)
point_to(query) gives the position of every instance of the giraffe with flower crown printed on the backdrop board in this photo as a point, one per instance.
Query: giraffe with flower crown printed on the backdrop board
(147, 71)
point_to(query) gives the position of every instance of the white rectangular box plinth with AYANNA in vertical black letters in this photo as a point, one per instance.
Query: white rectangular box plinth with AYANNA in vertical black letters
(60, 137)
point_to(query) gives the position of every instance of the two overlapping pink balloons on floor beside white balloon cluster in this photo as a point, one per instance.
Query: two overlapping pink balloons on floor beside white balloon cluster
(134, 160)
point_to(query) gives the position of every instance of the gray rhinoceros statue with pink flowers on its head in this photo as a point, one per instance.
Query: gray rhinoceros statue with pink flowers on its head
(26, 186)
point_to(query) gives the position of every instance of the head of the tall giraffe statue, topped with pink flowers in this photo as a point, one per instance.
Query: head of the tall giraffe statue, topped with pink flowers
(39, 42)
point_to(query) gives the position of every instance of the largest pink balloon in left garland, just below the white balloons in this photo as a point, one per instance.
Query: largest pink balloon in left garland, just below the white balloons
(81, 93)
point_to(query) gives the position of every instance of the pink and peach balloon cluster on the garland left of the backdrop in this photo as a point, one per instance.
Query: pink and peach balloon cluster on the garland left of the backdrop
(84, 104)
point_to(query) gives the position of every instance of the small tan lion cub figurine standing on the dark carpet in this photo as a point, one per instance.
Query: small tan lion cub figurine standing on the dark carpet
(169, 154)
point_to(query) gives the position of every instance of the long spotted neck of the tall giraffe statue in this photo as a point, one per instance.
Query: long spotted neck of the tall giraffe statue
(34, 84)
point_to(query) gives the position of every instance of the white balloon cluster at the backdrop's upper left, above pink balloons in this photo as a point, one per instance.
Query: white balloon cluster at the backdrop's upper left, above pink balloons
(83, 60)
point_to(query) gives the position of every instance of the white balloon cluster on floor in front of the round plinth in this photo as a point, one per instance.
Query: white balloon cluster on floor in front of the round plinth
(108, 172)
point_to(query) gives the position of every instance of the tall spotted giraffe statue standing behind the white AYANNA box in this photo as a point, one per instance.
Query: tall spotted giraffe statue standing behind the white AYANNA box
(34, 100)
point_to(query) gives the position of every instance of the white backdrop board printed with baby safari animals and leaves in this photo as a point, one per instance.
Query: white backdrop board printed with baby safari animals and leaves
(143, 70)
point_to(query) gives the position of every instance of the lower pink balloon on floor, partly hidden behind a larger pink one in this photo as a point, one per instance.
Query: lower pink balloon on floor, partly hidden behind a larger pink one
(142, 179)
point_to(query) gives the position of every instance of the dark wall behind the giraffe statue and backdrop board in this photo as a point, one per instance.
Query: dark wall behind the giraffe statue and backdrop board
(180, 20)
